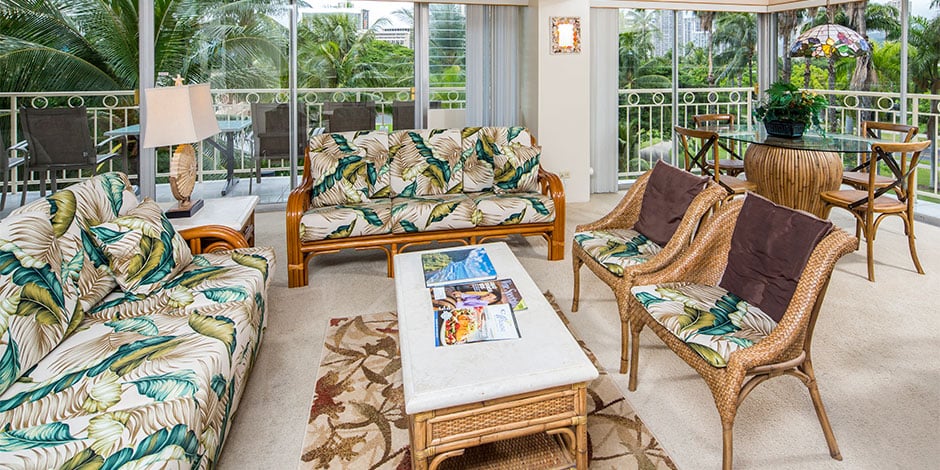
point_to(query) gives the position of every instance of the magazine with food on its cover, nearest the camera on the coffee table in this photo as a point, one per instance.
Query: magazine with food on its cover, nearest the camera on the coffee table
(475, 324)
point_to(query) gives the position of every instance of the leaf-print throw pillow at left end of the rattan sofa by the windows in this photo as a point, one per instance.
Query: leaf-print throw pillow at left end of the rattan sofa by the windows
(338, 178)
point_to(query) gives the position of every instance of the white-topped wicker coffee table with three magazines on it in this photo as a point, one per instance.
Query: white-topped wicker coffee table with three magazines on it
(462, 396)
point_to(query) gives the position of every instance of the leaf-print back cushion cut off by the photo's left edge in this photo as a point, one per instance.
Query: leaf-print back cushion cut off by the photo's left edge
(36, 303)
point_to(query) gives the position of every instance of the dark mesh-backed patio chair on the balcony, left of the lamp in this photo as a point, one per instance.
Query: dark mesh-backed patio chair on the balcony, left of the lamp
(59, 139)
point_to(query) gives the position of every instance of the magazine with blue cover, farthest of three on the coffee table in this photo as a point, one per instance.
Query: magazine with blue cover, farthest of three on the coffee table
(455, 266)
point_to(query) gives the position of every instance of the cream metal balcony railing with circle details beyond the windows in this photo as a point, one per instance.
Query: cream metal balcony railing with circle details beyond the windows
(645, 119)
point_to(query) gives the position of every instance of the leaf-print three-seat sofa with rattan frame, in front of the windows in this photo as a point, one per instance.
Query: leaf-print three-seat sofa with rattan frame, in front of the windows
(373, 189)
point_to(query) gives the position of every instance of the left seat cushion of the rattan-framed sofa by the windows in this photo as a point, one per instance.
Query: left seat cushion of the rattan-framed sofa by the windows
(346, 220)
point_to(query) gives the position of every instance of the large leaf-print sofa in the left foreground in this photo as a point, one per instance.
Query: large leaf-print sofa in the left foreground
(119, 347)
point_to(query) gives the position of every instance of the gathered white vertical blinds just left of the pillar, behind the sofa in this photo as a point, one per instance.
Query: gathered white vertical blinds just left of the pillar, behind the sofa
(493, 65)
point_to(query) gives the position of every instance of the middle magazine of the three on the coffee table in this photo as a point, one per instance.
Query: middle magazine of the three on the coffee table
(478, 293)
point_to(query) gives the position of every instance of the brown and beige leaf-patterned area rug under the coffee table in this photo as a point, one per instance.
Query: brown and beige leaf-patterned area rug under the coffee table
(357, 419)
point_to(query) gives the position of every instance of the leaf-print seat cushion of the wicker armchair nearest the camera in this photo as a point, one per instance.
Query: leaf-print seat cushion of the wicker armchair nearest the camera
(711, 320)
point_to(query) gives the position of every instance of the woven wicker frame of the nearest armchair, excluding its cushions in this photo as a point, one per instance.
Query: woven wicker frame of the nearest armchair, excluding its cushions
(786, 347)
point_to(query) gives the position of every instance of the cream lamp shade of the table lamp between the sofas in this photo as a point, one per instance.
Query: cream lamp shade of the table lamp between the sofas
(178, 115)
